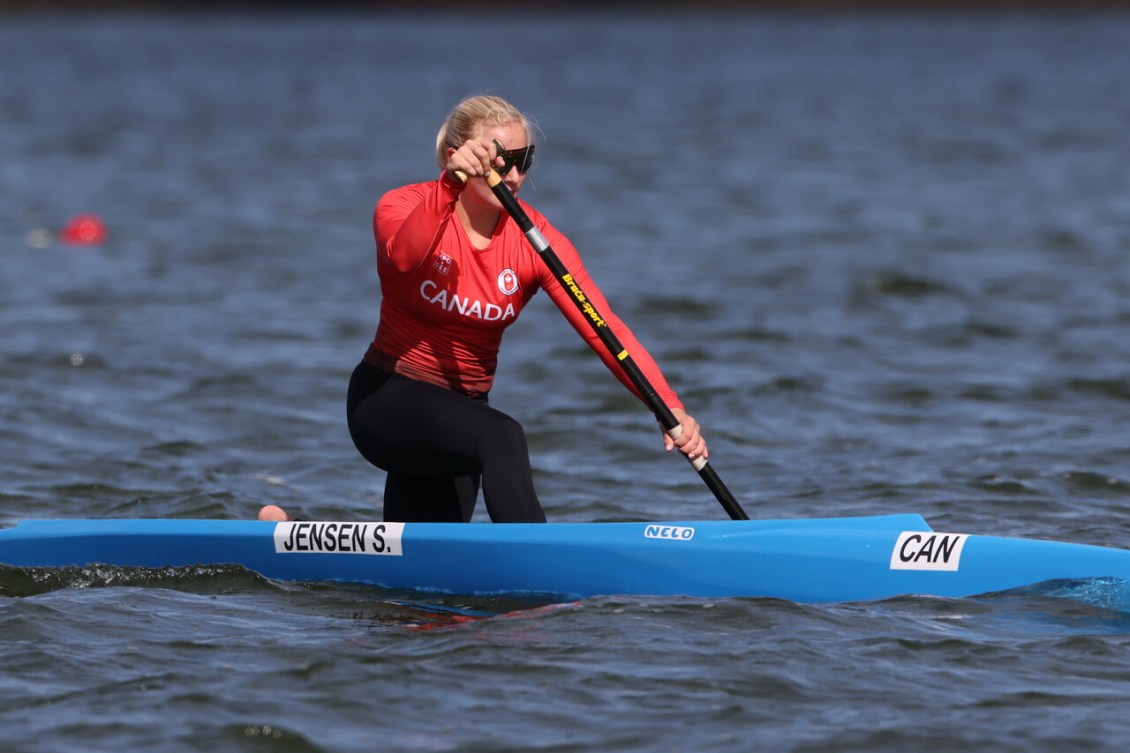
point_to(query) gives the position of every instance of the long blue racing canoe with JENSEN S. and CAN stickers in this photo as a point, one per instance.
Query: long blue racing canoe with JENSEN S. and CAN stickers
(805, 560)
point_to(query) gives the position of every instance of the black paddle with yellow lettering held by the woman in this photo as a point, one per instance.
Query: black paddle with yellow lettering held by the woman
(664, 414)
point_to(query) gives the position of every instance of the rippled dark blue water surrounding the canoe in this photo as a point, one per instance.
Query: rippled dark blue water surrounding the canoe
(884, 259)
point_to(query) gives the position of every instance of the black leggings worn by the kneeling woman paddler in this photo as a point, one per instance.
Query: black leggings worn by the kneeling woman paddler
(436, 446)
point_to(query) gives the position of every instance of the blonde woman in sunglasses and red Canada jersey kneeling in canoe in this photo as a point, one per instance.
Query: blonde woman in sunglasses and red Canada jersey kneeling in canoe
(456, 271)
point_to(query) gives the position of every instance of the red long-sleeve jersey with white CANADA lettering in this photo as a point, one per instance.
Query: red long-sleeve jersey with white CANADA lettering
(446, 304)
